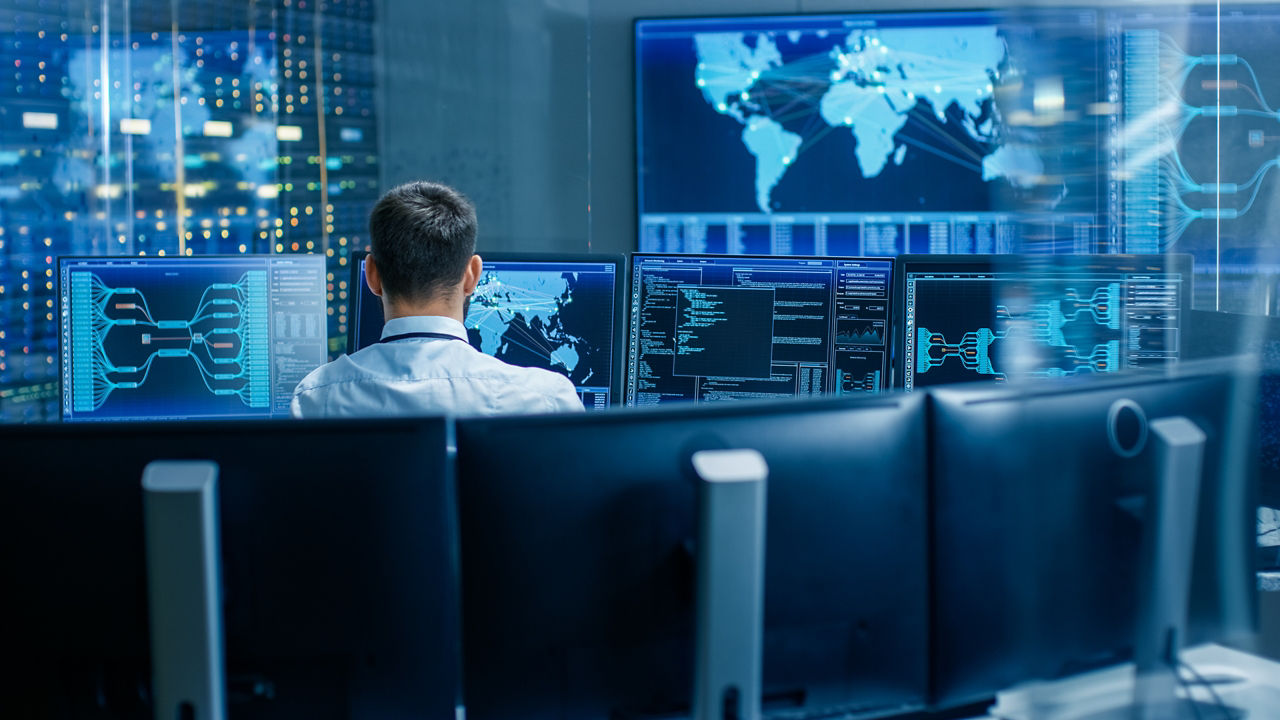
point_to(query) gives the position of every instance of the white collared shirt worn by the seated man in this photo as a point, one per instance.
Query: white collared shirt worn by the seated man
(423, 376)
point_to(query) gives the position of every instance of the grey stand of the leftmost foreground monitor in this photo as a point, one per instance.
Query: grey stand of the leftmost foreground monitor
(185, 590)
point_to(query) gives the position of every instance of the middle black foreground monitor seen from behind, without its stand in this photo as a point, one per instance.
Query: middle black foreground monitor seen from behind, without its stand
(578, 557)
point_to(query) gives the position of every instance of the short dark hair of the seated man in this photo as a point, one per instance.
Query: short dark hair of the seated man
(423, 235)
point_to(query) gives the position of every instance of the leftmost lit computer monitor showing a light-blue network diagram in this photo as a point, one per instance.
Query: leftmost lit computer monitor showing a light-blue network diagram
(181, 339)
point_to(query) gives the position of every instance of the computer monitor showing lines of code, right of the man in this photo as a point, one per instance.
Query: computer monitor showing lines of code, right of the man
(726, 327)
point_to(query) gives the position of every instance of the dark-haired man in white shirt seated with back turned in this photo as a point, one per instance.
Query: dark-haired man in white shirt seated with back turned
(424, 267)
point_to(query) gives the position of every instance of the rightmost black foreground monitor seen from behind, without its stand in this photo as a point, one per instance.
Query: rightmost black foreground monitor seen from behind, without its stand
(1037, 534)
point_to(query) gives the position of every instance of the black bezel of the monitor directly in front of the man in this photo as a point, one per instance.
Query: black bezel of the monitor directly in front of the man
(620, 291)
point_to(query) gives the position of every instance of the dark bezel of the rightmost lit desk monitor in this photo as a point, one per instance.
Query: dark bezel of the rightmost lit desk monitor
(1174, 263)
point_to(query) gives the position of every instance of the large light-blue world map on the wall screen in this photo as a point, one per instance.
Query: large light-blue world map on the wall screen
(880, 119)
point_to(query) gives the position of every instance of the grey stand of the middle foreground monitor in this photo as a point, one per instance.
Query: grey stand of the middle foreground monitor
(730, 617)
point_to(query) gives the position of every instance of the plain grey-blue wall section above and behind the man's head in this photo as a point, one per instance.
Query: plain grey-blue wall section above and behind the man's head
(491, 97)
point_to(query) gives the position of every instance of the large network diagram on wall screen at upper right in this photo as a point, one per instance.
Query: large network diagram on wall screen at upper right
(1195, 138)
